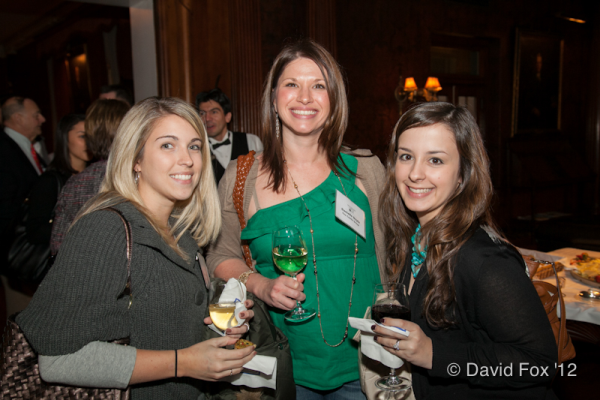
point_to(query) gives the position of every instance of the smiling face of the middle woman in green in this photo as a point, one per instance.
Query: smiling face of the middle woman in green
(301, 98)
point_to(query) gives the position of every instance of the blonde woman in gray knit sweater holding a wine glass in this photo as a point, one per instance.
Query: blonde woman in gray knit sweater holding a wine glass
(157, 178)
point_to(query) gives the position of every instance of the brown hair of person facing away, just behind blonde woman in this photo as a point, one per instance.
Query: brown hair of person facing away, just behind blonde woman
(101, 122)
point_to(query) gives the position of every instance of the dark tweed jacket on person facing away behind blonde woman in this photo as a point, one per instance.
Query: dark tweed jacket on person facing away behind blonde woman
(77, 191)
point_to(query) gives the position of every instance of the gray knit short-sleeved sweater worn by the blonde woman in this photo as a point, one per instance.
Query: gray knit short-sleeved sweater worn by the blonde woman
(79, 300)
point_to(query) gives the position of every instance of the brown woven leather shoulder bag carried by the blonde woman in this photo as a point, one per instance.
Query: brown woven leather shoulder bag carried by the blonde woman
(20, 372)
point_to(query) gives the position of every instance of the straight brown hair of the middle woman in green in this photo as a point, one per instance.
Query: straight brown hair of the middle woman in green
(335, 126)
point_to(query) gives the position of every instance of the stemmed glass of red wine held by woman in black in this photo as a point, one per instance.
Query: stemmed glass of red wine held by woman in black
(390, 300)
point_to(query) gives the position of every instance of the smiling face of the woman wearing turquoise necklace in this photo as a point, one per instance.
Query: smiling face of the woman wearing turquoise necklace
(427, 169)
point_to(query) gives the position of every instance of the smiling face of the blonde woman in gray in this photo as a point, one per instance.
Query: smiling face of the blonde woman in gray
(170, 167)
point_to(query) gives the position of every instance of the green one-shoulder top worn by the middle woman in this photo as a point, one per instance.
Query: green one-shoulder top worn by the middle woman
(316, 365)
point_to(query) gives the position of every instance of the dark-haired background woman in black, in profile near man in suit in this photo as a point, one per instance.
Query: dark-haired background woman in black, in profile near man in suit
(70, 157)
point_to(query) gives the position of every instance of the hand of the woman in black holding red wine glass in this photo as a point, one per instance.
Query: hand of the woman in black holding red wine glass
(415, 348)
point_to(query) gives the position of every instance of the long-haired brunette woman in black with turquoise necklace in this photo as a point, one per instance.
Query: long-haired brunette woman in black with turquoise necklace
(478, 329)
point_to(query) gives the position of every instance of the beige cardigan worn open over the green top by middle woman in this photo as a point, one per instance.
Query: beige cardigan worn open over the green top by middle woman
(370, 171)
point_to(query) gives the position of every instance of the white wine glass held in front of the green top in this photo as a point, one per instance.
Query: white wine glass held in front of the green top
(290, 256)
